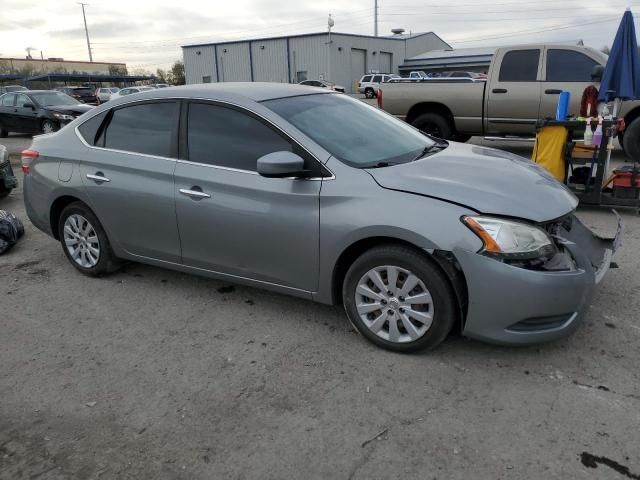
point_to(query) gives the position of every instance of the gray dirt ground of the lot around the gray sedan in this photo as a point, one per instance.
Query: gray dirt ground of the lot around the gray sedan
(151, 374)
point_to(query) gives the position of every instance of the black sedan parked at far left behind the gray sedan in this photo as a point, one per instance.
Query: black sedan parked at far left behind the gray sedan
(37, 111)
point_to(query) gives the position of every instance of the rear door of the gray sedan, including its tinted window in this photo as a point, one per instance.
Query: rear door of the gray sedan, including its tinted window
(129, 178)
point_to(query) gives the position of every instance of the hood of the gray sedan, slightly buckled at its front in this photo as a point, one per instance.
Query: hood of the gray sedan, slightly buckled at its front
(484, 179)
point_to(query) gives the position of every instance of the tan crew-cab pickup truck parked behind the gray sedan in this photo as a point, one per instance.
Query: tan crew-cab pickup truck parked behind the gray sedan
(522, 86)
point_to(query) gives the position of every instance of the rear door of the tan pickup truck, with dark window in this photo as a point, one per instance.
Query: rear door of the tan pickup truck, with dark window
(513, 97)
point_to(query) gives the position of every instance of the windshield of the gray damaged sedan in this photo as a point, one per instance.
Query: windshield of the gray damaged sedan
(357, 134)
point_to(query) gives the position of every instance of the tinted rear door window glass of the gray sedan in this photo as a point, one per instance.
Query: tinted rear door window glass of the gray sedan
(148, 128)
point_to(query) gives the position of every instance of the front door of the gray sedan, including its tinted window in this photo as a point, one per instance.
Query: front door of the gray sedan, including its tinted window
(231, 219)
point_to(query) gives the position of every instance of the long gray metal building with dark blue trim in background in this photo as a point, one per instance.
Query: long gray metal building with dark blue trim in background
(343, 59)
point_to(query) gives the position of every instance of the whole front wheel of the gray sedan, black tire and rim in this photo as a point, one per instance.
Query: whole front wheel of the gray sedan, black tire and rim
(377, 324)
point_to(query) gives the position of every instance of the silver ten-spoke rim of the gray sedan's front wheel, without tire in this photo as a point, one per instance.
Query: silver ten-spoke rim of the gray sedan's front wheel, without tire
(394, 304)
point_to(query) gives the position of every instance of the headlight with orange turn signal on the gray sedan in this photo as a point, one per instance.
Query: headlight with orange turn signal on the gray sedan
(510, 239)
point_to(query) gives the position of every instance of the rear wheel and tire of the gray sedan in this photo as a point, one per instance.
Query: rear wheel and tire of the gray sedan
(91, 253)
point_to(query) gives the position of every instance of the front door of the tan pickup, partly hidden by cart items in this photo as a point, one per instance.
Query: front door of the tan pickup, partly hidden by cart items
(565, 69)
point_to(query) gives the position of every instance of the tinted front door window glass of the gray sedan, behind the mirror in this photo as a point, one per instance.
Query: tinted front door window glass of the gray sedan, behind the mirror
(230, 138)
